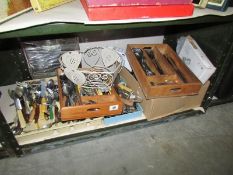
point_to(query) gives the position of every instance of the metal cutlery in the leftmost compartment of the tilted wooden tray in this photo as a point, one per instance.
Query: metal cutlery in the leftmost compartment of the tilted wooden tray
(139, 54)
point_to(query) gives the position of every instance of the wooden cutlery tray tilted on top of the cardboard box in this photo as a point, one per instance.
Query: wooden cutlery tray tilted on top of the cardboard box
(170, 75)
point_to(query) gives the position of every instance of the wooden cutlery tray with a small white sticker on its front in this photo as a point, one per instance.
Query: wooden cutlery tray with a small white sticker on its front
(105, 105)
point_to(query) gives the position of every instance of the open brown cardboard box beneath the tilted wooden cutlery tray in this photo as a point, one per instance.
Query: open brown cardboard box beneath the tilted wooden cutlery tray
(161, 107)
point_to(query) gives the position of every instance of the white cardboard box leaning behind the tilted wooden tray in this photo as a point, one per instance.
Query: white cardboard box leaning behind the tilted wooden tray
(192, 55)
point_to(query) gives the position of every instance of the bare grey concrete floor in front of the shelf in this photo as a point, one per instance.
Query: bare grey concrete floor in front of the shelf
(196, 145)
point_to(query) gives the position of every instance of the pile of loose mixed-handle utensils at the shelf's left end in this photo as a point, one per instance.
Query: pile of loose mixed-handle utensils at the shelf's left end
(36, 105)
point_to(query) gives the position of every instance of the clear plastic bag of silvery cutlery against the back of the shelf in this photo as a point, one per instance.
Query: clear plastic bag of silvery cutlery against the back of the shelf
(43, 56)
